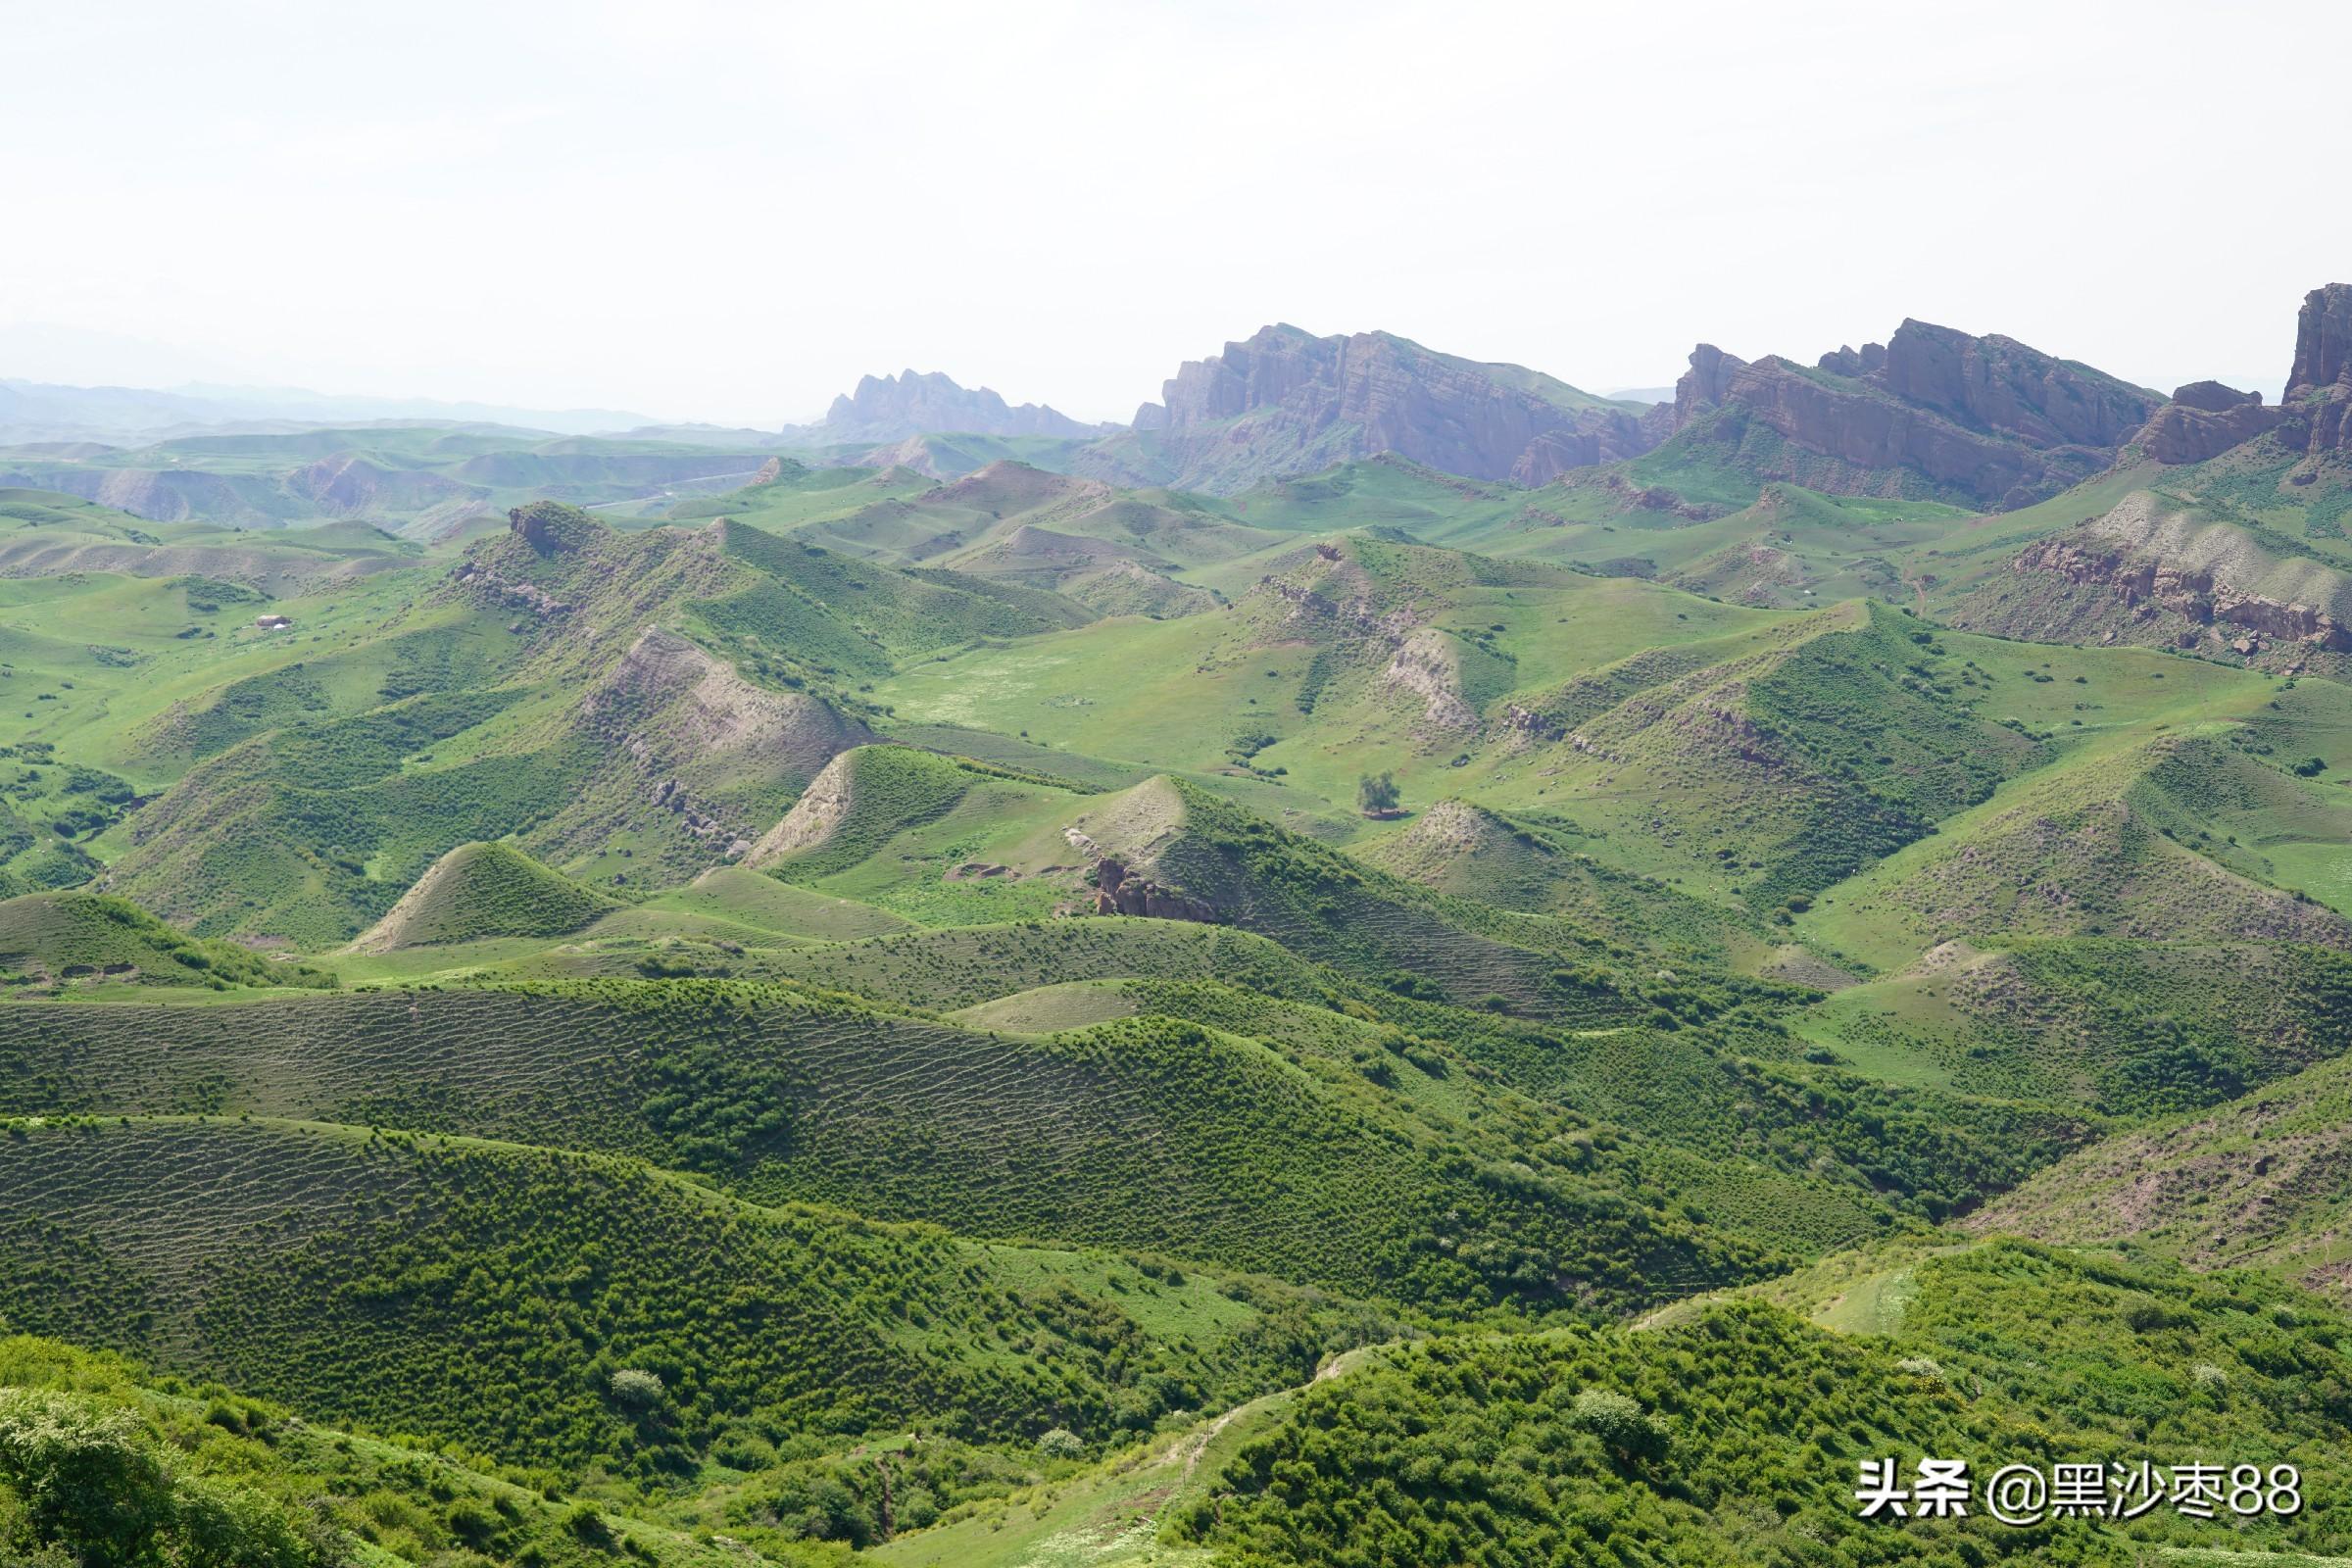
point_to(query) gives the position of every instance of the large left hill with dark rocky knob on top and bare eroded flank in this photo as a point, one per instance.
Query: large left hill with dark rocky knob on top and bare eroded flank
(653, 706)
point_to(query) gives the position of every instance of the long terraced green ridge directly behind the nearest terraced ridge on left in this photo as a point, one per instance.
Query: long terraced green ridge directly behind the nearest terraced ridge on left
(1236, 1153)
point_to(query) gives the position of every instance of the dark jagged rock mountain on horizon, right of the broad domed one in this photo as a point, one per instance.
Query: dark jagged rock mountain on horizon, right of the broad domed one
(1977, 417)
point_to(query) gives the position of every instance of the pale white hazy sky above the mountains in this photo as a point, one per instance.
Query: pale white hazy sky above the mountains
(723, 210)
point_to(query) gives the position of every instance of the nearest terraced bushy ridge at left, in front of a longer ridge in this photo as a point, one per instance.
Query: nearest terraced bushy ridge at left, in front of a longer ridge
(490, 1294)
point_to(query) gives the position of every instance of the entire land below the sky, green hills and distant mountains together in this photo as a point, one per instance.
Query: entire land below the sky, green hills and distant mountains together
(951, 986)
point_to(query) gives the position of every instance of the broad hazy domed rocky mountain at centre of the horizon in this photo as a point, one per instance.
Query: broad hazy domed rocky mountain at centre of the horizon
(1288, 403)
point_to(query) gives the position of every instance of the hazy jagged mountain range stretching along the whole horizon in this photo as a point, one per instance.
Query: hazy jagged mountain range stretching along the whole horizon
(1930, 415)
